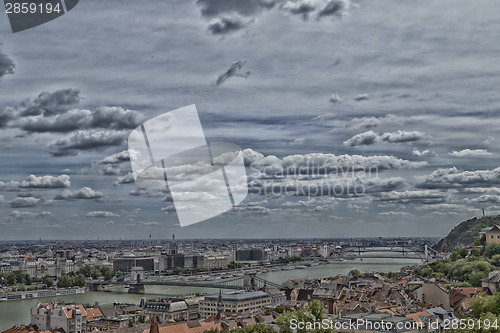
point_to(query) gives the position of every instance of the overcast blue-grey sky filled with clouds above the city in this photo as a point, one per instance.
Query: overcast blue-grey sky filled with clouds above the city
(355, 118)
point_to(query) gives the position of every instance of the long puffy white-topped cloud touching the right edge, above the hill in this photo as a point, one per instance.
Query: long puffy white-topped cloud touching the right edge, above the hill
(448, 178)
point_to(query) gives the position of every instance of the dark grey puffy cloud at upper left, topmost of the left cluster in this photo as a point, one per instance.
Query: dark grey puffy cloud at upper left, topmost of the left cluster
(52, 103)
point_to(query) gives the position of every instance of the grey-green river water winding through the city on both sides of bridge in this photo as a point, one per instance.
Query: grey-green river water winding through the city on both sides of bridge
(18, 312)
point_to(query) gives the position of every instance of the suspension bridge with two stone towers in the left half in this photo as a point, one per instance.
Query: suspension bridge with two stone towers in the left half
(137, 283)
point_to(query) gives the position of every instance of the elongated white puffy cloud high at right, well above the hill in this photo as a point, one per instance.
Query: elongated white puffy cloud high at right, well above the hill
(370, 137)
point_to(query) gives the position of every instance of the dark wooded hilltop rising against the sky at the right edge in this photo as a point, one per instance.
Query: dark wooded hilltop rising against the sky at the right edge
(466, 232)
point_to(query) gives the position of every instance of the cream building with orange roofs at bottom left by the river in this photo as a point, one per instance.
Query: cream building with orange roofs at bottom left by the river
(49, 316)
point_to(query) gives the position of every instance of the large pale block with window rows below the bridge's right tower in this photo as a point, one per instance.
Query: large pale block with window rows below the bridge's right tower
(237, 302)
